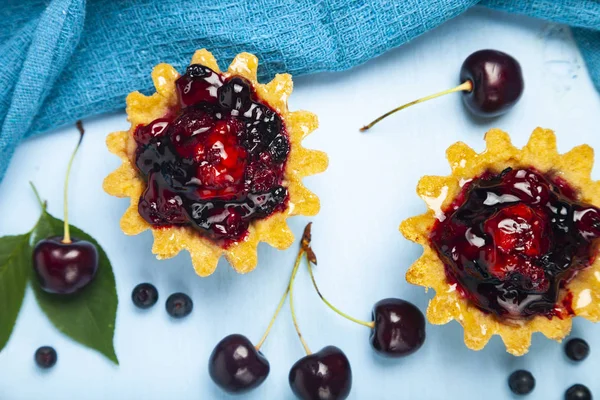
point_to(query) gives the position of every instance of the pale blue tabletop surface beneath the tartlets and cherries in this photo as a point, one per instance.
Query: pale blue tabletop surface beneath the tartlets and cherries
(367, 191)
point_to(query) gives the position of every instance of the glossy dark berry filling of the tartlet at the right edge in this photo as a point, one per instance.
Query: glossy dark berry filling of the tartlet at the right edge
(511, 241)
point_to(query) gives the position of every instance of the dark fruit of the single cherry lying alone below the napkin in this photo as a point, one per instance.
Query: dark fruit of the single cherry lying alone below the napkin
(497, 82)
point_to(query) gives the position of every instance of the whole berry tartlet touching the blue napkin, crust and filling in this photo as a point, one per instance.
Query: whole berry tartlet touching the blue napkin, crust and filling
(213, 163)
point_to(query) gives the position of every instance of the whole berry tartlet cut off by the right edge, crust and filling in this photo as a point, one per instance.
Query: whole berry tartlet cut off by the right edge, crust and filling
(510, 240)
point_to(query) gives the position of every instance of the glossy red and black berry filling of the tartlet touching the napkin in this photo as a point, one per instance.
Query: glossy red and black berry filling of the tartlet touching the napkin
(217, 162)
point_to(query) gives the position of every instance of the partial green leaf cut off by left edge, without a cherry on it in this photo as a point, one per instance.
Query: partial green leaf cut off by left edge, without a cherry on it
(15, 264)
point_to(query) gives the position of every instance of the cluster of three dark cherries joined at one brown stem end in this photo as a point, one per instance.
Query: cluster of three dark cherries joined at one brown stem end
(397, 330)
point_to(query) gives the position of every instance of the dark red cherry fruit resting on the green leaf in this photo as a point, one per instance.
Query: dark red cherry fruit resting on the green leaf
(64, 268)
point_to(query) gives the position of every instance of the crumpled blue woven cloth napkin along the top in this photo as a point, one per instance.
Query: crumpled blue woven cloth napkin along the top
(63, 60)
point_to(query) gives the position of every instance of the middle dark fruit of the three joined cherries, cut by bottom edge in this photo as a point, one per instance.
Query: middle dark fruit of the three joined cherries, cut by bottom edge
(324, 375)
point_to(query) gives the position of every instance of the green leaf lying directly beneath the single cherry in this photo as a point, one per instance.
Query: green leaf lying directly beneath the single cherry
(88, 316)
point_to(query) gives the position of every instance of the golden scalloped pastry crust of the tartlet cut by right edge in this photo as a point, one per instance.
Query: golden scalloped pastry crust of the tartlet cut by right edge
(438, 192)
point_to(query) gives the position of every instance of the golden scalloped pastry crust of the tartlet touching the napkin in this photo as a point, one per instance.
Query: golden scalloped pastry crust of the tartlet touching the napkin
(205, 254)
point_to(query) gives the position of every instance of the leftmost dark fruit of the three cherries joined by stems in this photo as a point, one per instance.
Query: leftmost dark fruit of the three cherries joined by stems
(236, 366)
